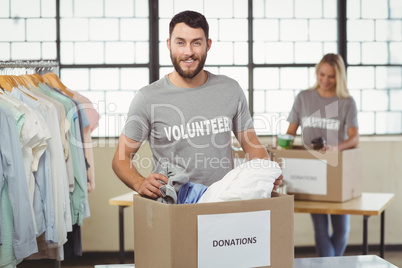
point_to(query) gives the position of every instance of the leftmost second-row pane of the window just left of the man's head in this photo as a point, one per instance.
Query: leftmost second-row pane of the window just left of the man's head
(74, 29)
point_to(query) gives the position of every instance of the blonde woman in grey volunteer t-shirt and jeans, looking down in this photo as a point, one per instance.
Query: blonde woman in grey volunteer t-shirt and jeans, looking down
(327, 111)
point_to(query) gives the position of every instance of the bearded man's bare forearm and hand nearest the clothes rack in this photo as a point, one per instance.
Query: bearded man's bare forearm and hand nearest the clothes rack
(128, 173)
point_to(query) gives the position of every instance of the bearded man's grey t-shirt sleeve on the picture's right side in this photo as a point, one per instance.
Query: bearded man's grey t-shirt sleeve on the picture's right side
(242, 119)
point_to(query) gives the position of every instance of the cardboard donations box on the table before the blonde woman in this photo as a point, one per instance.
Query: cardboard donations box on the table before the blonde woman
(321, 176)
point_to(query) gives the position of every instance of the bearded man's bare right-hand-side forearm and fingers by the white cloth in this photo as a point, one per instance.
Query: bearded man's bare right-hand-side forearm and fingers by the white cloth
(254, 149)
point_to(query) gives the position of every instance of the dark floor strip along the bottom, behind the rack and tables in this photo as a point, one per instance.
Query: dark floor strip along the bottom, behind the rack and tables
(89, 260)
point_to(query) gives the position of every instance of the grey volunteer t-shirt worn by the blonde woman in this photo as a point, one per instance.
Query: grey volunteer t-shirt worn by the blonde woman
(323, 117)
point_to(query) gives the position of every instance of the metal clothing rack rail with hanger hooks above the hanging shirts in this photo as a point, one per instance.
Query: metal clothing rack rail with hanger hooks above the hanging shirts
(30, 67)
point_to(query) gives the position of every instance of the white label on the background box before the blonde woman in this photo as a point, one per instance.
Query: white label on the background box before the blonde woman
(305, 176)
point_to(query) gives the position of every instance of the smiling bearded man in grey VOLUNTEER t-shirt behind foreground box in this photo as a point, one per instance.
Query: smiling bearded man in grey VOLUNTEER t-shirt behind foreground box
(187, 116)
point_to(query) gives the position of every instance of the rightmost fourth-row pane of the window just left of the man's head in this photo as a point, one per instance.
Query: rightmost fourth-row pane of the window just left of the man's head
(134, 78)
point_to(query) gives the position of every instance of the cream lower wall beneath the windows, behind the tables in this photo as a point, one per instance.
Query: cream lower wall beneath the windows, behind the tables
(382, 172)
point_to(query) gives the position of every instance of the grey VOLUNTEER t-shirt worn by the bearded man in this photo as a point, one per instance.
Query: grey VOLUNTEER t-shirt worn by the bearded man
(190, 127)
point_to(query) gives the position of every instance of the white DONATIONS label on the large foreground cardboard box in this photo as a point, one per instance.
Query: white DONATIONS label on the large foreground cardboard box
(234, 240)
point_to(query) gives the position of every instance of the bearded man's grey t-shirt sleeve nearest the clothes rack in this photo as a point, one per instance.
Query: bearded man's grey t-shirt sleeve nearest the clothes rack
(137, 125)
